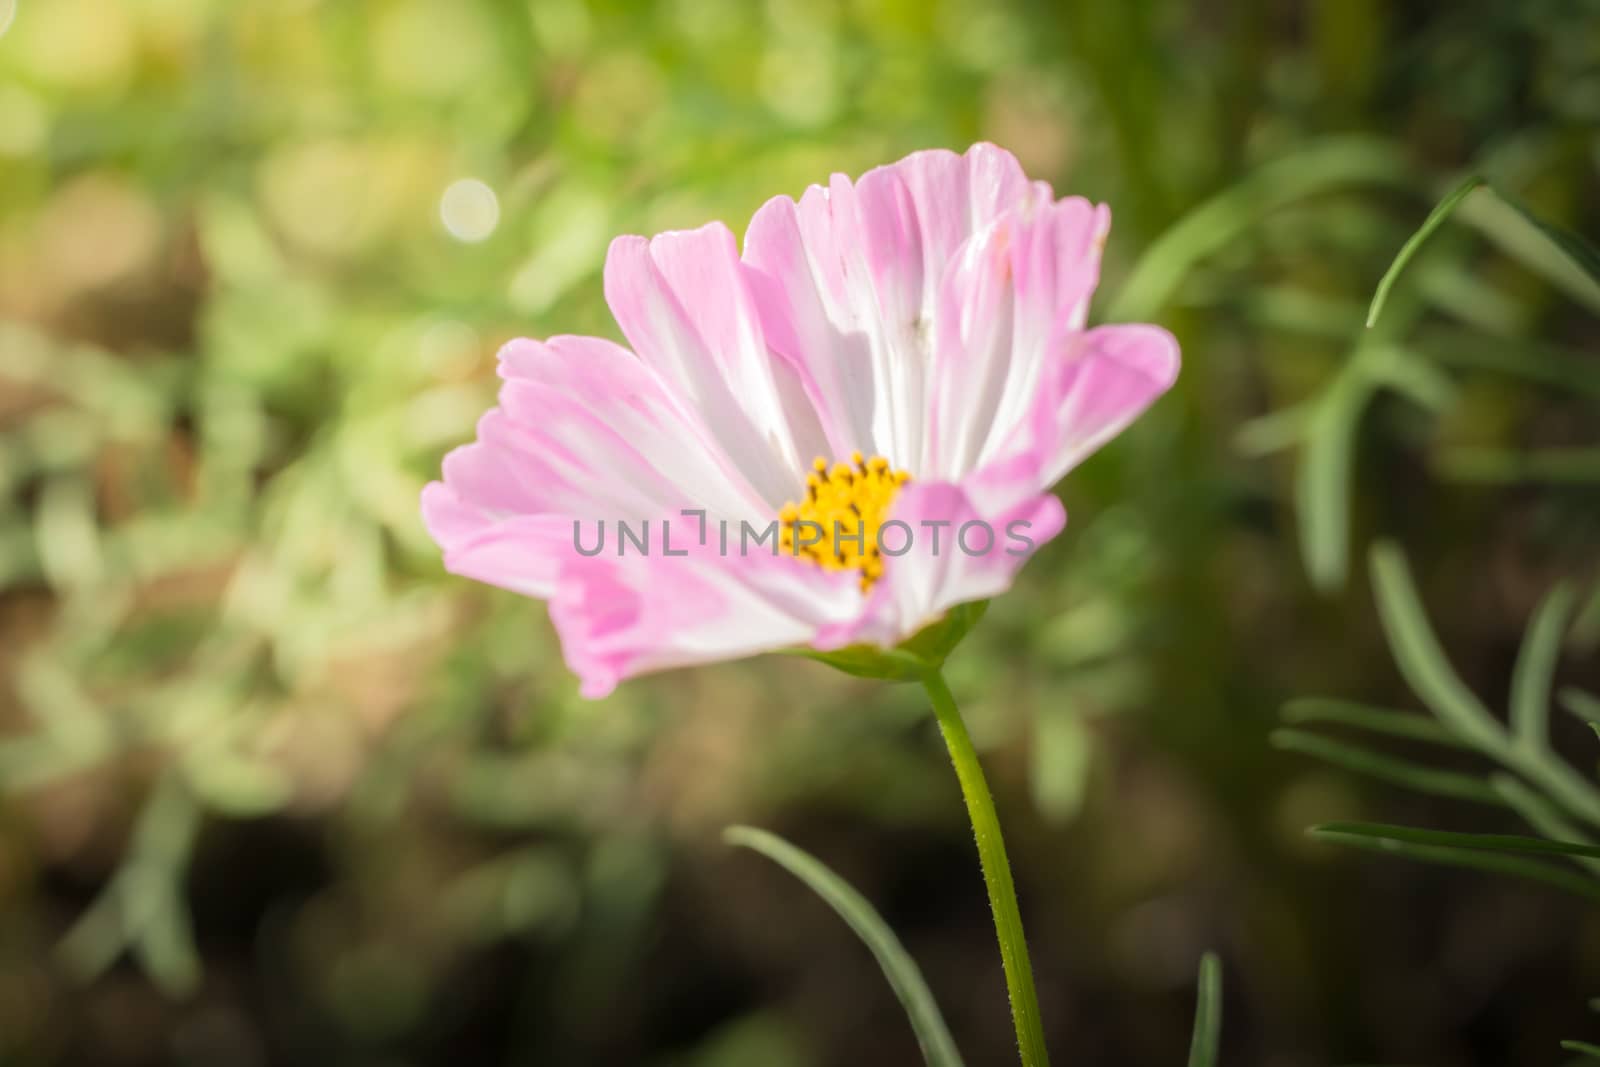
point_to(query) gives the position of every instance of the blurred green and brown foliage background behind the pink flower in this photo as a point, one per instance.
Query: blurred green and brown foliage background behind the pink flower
(278, 791)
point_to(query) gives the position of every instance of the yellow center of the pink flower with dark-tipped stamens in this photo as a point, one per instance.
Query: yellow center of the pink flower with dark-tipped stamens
(836, 526)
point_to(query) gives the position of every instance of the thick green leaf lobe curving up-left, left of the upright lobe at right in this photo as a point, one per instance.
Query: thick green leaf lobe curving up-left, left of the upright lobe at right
(1422, 660)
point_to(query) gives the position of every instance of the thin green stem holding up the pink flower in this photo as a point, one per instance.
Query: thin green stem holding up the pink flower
(998, 873)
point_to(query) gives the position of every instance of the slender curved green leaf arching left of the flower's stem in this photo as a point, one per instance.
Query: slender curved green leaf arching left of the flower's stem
(938, 1049)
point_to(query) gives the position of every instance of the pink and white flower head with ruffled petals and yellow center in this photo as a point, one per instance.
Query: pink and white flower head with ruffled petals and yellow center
(929, 316)
